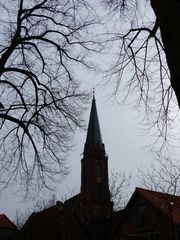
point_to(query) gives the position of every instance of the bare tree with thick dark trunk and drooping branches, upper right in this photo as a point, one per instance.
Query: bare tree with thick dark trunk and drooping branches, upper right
(147, 52)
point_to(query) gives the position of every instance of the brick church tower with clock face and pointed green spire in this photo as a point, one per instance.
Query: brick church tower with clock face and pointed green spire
(95, 195)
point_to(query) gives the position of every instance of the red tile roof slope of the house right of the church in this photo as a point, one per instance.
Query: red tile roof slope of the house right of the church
(169, 205)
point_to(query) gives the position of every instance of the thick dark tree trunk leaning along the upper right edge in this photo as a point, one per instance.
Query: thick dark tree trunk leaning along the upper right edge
(168, 16)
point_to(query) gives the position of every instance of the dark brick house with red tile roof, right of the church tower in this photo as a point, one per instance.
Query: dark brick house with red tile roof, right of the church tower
(150, 215)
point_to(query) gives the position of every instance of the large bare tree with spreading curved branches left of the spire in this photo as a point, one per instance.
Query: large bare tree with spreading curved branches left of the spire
(42, 43)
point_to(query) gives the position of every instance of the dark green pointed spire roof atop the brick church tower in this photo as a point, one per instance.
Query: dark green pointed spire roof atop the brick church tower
(94, 133)
